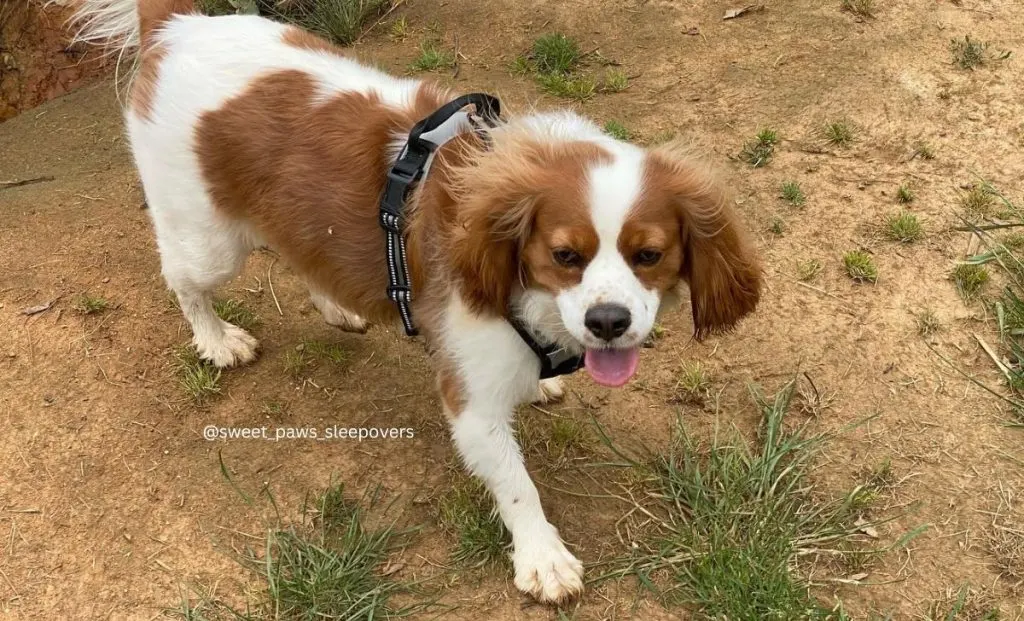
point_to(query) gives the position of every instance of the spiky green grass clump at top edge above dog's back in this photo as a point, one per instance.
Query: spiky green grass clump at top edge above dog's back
(338, 21)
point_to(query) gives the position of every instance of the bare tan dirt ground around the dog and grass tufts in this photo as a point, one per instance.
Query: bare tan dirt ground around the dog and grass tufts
(113, 506)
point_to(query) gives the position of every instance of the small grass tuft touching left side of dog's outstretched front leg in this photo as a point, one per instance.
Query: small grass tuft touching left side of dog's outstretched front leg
(465, 513)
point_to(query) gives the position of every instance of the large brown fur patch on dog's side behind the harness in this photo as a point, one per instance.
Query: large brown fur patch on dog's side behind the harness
(309, 177)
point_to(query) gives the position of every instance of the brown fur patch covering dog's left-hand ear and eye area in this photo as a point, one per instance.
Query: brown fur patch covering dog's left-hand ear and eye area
(518, 203)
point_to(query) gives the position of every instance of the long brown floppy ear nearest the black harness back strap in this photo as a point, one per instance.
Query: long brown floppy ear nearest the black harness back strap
(496, 203)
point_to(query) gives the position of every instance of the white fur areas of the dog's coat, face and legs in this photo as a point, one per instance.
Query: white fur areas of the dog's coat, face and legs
(210, 61)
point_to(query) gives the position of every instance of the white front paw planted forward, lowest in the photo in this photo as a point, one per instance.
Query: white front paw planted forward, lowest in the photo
(546, 570)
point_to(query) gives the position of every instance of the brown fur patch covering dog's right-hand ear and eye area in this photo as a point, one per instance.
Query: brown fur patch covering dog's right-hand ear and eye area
(713, 255)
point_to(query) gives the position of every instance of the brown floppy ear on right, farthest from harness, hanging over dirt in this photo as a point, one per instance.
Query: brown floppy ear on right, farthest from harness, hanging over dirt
(720, 264)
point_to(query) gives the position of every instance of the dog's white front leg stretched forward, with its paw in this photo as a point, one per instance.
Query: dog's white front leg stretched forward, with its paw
(485, 439)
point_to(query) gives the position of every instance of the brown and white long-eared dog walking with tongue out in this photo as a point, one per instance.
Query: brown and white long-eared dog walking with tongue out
(249, 133)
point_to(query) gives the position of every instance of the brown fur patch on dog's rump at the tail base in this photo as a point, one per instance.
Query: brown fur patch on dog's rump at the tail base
(152, 17)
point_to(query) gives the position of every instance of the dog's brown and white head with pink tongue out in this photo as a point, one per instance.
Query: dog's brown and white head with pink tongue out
(589, 239)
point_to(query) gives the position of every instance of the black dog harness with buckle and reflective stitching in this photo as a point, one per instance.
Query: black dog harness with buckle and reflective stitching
(402, 180)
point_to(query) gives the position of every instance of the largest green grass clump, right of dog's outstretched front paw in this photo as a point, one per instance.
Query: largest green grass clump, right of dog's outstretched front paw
(731, 519)
